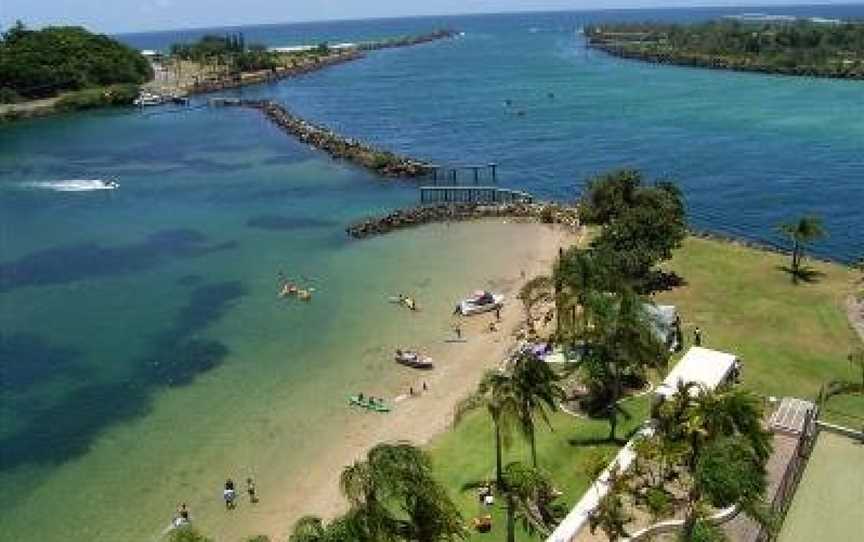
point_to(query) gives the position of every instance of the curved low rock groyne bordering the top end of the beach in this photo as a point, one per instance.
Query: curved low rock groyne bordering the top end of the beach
(549, 213)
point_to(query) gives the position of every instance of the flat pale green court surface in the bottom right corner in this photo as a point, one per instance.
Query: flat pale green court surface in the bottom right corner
(832, 487)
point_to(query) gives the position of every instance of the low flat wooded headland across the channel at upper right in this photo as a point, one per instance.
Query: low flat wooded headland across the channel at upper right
(831, 49)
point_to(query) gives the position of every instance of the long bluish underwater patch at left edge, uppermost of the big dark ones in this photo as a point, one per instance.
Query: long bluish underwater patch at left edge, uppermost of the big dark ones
(63, 265)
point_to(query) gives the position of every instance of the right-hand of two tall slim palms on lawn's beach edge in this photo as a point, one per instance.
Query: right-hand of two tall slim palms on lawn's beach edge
(535, 392)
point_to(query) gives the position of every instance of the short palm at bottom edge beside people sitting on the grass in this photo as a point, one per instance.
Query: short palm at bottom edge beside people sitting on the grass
(530, 496)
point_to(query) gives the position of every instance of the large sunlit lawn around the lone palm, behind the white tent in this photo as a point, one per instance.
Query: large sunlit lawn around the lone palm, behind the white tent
(791, 338)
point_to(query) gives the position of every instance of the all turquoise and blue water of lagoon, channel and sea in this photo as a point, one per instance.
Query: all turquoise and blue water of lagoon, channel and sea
(143, 352)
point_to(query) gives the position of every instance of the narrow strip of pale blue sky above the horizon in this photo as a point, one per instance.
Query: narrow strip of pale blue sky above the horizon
(135, 15)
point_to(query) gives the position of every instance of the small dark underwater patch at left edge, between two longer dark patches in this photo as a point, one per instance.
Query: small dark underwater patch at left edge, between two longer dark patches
(27, 359)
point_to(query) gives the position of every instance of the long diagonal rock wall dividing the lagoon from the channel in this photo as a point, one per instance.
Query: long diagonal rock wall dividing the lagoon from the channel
(337, 146)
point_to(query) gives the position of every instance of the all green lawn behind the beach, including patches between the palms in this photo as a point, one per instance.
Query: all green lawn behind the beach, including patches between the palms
(791, 338)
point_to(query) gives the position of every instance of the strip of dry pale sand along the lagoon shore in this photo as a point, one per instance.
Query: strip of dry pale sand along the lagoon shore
(459, 367)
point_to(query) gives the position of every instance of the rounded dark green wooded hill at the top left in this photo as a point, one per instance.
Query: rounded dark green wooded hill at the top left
(43, 63)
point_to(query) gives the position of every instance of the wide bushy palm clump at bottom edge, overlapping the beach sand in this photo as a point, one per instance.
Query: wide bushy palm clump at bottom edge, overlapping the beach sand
(393, 497)
